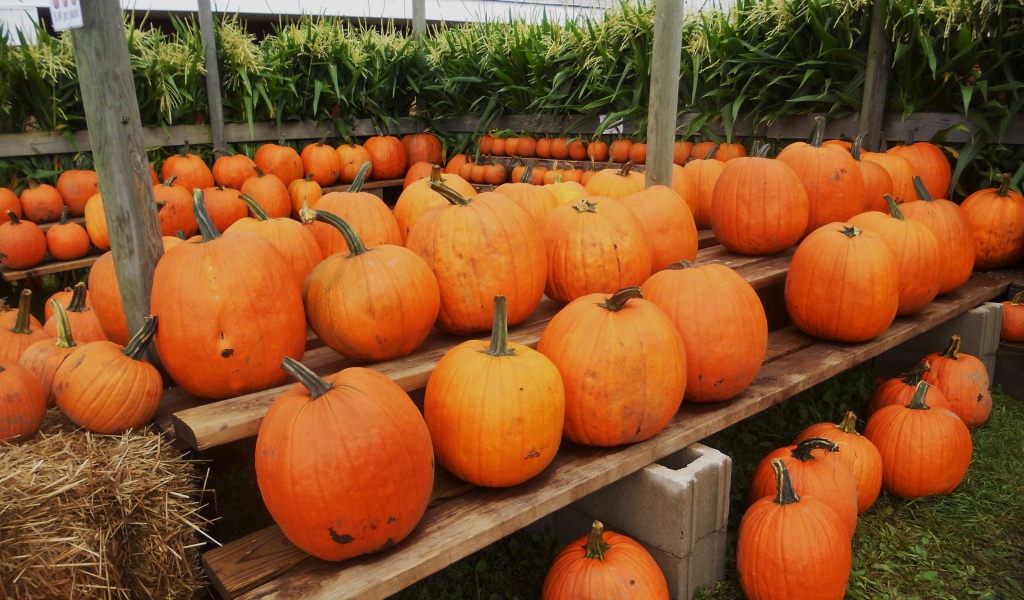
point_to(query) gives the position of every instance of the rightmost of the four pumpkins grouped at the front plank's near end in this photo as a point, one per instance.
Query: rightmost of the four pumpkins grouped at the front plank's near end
(722, 324)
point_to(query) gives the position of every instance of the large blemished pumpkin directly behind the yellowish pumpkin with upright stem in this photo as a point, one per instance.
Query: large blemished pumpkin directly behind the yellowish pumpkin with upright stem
(479, 248)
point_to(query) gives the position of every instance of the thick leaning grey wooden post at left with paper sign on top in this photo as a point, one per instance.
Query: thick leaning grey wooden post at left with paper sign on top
(116, 135)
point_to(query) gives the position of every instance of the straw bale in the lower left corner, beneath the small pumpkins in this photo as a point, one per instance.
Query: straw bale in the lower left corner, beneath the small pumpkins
(99, 517)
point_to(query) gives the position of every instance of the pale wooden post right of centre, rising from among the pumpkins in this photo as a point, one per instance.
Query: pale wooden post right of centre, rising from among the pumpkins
(664, 92)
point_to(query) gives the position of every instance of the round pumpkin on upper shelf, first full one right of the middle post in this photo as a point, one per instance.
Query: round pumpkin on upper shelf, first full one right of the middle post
(759, 206)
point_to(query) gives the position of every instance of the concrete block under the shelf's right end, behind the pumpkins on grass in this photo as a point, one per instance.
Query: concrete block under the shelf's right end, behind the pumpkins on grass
(979, 332)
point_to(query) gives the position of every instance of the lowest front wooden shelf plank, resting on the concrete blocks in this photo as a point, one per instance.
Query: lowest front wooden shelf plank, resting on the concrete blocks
(461, 527)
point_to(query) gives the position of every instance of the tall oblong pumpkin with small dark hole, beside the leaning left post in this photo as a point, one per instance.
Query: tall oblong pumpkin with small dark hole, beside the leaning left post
(230, 313)
